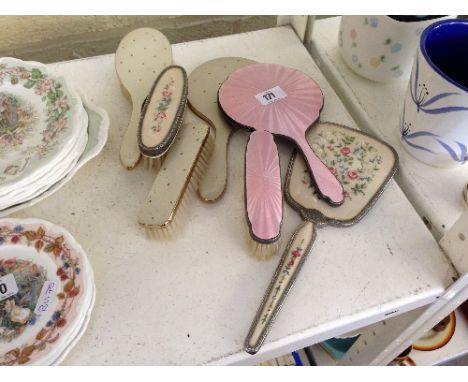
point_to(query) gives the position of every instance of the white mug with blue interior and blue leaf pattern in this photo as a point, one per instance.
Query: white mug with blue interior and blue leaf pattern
(434, 120)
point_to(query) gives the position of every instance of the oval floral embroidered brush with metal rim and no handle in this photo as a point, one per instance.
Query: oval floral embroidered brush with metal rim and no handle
(162, 115)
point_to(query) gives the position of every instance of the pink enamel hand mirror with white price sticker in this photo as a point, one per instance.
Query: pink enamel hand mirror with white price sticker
(284, 102)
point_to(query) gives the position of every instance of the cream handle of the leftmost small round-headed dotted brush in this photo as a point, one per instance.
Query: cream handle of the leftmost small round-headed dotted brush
(129, 150)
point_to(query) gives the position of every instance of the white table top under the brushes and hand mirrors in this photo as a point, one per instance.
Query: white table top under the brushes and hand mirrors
(192, 301)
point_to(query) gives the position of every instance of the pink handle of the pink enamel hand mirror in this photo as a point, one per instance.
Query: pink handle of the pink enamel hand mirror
(328, 186)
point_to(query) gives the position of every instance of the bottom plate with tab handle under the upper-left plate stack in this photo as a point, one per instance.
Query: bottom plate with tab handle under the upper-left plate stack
(97, 136)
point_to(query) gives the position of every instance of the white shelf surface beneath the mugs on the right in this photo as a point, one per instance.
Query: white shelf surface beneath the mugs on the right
(435, 193)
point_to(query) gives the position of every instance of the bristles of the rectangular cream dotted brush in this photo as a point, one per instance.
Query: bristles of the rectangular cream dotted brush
(169, 231)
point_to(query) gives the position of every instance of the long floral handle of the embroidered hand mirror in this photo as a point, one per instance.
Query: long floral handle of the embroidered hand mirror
(288, 268)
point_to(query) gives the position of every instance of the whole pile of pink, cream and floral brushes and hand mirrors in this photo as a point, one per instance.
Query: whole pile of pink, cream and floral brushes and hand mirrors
(334, 177)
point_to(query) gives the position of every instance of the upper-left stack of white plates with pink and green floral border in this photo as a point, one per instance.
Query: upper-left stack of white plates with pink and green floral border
(43, 131)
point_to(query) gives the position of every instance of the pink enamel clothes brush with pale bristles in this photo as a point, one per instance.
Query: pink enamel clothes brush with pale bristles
(263, 196)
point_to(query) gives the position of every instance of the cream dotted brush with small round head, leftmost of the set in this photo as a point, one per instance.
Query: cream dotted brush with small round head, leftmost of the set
(142, 54)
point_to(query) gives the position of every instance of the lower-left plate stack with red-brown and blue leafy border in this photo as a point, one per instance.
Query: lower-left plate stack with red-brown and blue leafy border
(54, 292)
